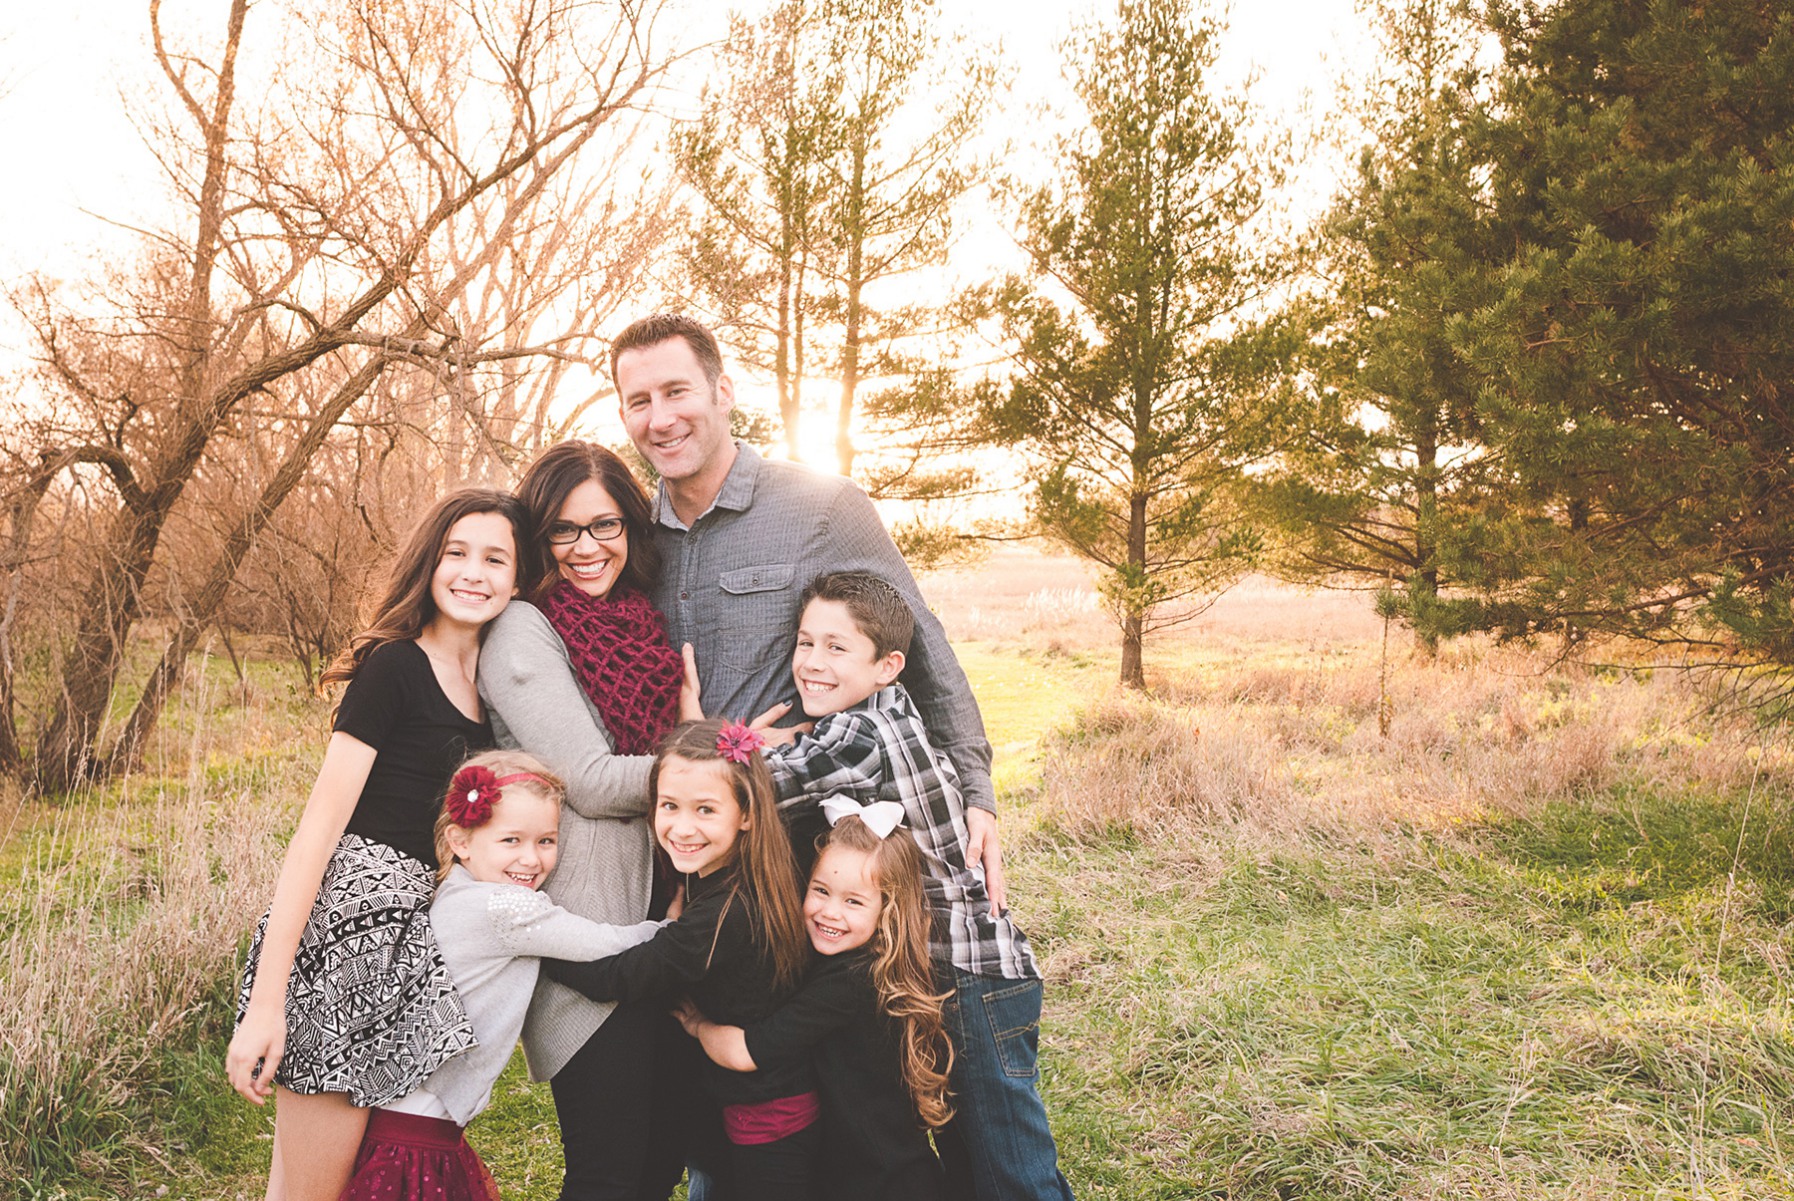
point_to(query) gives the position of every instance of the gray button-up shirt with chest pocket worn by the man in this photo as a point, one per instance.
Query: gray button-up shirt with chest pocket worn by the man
(731, 586)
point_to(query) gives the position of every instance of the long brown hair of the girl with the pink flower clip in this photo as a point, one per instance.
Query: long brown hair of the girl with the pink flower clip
(765, 868)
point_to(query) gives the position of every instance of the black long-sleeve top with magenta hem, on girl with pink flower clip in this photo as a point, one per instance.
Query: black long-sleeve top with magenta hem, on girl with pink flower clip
(713, 956)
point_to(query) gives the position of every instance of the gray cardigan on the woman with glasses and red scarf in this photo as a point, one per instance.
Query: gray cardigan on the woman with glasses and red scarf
(605, 868)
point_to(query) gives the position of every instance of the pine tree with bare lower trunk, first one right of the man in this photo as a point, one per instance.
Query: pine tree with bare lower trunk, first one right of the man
(1136, 385)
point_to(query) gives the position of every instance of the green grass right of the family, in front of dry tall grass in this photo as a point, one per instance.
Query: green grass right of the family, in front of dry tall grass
(1571, 1010)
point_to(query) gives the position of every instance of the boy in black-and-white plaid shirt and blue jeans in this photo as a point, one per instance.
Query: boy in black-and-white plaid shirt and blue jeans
(869, 744)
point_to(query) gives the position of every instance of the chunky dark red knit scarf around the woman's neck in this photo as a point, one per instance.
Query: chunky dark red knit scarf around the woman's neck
(620, 653)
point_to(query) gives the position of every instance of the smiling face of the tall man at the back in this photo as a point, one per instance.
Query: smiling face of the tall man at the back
(675, 417)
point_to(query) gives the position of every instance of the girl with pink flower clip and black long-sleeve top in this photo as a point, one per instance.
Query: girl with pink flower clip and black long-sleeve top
(738, 949)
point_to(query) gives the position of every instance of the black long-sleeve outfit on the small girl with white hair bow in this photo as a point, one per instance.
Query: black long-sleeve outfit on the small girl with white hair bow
(876, 1144)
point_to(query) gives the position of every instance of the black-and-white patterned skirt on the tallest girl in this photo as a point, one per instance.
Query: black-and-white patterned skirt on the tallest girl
(370, 1006)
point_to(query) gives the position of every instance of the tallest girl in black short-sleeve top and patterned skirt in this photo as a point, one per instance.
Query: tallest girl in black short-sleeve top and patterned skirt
(345, 999)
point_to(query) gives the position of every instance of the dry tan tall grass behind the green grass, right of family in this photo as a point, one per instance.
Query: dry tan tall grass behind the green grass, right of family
(1294, 750)
